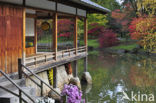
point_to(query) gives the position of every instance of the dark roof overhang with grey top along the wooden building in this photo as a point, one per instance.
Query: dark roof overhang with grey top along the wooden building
(74, 7)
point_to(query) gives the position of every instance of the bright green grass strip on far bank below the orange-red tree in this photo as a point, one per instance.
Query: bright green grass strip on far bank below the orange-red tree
(125, 47)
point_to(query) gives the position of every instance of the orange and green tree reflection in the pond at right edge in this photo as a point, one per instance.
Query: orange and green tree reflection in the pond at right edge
(143, 75)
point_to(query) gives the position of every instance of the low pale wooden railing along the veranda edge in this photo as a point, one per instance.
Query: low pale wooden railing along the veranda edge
(45, 57)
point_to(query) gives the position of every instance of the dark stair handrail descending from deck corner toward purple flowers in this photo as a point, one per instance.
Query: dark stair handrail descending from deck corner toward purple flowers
(42, 82)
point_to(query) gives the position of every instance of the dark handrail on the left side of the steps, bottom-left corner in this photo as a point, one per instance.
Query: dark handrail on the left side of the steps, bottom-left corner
(19, 88)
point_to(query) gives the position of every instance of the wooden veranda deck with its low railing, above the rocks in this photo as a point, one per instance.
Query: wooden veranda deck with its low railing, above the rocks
(44, 61)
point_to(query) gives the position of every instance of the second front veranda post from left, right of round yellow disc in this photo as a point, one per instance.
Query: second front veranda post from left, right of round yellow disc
(55, 34)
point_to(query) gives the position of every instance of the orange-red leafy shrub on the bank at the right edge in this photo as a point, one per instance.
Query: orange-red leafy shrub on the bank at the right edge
(143, 29)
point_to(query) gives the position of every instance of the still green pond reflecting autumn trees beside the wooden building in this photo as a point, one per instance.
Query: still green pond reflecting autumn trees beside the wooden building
(120, 78)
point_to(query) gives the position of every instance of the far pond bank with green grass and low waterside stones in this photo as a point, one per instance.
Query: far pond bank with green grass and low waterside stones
(123, 47)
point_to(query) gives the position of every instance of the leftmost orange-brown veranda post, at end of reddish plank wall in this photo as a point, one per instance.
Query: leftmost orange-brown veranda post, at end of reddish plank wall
(23, 37)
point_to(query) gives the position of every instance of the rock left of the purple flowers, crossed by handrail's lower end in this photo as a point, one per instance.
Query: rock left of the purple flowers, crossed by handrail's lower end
(53, 95)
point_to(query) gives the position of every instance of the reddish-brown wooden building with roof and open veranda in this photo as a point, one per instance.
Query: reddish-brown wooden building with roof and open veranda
(17, 21)
